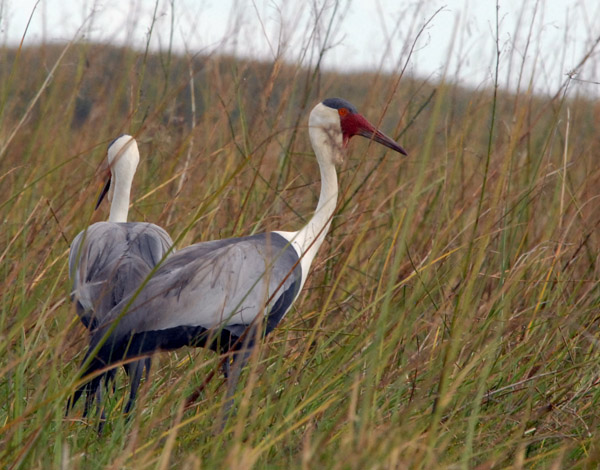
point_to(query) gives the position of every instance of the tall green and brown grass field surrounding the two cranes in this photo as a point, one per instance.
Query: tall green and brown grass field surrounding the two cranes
(450, 319)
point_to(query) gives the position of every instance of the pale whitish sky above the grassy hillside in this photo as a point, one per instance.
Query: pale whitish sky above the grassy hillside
(550, 36)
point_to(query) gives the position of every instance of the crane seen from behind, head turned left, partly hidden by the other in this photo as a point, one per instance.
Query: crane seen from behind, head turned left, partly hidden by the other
(109, 260)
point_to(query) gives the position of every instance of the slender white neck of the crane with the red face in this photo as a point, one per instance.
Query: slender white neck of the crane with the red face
(308, 240)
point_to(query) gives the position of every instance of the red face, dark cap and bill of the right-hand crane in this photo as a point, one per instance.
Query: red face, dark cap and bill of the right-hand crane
(353, 123)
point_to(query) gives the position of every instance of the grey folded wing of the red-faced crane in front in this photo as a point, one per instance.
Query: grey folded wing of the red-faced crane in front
(227, 284)
